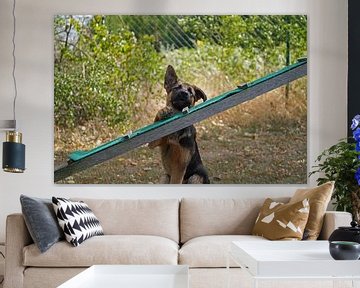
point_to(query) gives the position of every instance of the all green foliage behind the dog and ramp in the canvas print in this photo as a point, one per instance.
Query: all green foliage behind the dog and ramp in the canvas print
(108, 68)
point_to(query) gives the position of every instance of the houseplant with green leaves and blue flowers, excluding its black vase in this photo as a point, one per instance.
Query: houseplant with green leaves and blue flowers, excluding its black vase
(341, 163)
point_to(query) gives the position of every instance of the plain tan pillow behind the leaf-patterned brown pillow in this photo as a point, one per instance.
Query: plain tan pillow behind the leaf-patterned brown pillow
(319, 198)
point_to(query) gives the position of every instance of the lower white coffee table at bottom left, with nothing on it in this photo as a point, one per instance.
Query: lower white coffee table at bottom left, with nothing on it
(131, 276)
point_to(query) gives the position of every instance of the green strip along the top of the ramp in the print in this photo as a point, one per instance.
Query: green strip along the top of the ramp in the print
(78, 155)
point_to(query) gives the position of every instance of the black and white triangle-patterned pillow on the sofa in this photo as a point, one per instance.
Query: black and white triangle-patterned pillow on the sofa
(77, 220)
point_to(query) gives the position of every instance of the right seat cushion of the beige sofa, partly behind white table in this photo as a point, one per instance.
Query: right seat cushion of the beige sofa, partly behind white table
(211, 251)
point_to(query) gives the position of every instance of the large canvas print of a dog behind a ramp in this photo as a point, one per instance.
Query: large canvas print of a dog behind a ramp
(180, 99)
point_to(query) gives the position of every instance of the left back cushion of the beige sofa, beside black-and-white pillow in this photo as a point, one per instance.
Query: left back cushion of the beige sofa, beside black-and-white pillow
(159, 217)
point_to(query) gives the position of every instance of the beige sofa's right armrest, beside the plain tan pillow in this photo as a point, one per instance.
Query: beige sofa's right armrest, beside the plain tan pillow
(333, 220)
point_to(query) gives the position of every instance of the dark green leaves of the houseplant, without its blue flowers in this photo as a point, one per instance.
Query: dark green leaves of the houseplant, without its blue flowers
(339, 163)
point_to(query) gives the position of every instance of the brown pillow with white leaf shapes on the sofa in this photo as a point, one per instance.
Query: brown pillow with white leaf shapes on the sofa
(279, 221)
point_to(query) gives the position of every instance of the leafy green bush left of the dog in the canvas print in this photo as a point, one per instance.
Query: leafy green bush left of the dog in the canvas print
(99, 75)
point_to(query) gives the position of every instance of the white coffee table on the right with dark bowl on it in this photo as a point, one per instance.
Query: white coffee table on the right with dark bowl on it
(293, 260)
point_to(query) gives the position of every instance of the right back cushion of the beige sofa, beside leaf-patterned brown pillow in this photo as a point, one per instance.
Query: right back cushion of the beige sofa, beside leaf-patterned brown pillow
(201, 217)
